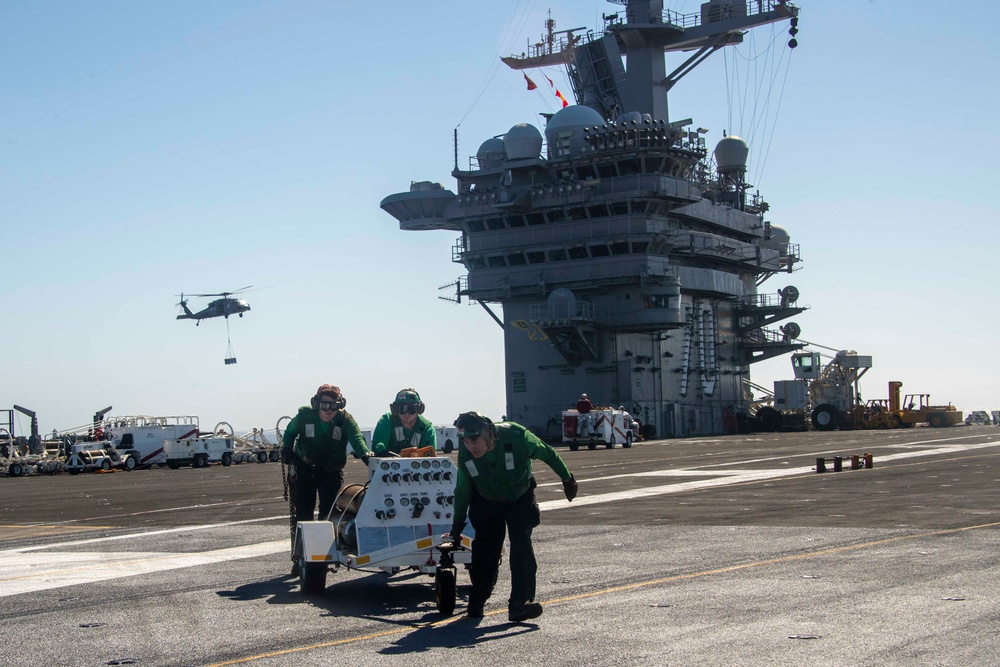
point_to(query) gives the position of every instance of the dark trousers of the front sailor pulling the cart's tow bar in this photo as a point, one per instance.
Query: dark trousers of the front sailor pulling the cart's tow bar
(491, 520)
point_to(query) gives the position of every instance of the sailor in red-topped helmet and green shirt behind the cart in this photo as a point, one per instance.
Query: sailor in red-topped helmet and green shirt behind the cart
(314, 447)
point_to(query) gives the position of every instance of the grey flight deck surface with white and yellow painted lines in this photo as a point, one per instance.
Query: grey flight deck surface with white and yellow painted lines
(728, 550)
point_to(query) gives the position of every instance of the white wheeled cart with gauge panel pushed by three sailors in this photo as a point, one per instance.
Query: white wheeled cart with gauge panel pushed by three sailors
(398, 521)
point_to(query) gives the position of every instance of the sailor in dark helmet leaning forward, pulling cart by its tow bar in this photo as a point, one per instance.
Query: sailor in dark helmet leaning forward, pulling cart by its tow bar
(497, 490)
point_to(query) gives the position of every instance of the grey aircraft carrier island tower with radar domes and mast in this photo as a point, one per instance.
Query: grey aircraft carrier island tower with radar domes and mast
(627, 261)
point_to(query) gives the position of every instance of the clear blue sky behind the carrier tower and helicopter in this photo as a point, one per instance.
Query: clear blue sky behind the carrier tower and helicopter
(155, 148)
